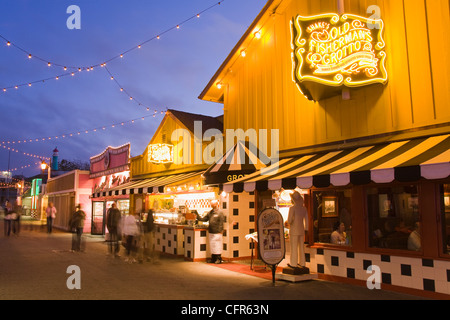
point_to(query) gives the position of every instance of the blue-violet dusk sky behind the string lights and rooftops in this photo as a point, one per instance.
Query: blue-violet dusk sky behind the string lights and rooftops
(168, 73)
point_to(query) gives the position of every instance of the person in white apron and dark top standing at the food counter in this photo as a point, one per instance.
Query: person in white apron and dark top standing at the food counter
(216, 220)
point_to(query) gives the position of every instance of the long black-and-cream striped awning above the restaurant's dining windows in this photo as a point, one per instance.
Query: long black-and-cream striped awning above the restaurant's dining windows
(404, 161)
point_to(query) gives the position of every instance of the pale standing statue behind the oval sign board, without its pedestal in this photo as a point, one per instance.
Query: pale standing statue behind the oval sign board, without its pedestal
(297, 219)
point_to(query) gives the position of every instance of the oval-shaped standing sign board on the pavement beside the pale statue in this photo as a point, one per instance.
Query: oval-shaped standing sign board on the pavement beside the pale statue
(271, 236)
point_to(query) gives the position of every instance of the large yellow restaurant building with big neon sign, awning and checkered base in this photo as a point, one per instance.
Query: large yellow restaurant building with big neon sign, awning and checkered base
(360, 102)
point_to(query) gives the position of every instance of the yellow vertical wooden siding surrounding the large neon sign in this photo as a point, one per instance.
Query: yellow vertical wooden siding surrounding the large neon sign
(259, 91)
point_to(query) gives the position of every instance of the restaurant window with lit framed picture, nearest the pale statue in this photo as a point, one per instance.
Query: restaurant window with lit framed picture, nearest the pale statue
(333, 217)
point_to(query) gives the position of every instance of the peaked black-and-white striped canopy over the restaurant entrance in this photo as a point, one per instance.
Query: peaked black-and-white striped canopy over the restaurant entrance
(243, 158)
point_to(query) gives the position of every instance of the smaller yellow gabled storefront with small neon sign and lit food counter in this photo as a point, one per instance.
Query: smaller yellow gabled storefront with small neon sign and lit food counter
(167, 178)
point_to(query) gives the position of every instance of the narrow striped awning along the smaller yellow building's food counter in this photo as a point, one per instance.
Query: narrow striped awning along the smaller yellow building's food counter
(151, 185)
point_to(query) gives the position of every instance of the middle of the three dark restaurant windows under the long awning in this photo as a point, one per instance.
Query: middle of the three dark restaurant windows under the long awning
(394, 221)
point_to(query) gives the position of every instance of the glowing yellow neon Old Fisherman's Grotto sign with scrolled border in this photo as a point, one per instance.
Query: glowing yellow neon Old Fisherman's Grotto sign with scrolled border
(332, 51)
